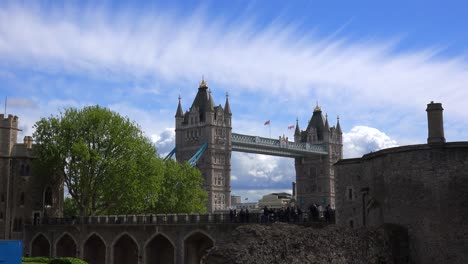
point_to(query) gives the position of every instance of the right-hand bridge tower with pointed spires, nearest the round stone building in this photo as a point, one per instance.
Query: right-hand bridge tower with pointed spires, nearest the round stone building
(315, 178)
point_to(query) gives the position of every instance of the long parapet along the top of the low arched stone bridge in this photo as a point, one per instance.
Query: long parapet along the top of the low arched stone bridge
(180, 219)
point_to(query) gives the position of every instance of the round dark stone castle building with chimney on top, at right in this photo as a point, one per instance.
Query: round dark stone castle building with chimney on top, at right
(420, 188)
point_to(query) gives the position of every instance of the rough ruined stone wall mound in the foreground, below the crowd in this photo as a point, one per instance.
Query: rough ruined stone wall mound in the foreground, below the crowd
(283, 243)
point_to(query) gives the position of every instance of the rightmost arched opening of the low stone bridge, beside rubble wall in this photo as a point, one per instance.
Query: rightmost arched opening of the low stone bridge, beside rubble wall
(196, 246)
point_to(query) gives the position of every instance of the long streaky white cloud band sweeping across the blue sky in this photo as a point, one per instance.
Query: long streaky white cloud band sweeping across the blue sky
(277, 58)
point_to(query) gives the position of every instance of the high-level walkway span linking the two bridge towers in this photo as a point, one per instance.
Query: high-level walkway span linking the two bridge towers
(276, 147)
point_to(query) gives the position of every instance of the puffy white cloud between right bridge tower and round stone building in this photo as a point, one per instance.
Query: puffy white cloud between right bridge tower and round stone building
(362, 139)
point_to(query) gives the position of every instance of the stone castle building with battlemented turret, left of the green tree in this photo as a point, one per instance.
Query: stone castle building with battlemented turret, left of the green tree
(24, 195)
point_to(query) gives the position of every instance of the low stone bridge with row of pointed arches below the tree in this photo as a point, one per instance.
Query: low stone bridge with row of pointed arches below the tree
(172, 238)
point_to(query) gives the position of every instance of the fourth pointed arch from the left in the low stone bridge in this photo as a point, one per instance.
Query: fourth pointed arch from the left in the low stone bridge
(125, 249)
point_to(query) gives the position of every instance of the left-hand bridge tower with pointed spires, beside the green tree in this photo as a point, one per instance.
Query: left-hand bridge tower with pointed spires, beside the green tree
(206, 123)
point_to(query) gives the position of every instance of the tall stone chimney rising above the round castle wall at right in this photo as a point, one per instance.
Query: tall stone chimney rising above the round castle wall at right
(435, 123)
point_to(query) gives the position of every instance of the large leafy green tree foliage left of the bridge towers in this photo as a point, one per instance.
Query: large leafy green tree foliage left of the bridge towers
(109, 166)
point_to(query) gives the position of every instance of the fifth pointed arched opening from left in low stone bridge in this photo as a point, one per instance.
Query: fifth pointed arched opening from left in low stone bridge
(159, 251)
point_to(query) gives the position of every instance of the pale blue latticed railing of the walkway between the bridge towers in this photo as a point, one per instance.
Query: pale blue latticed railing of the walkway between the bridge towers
(282, 145)
